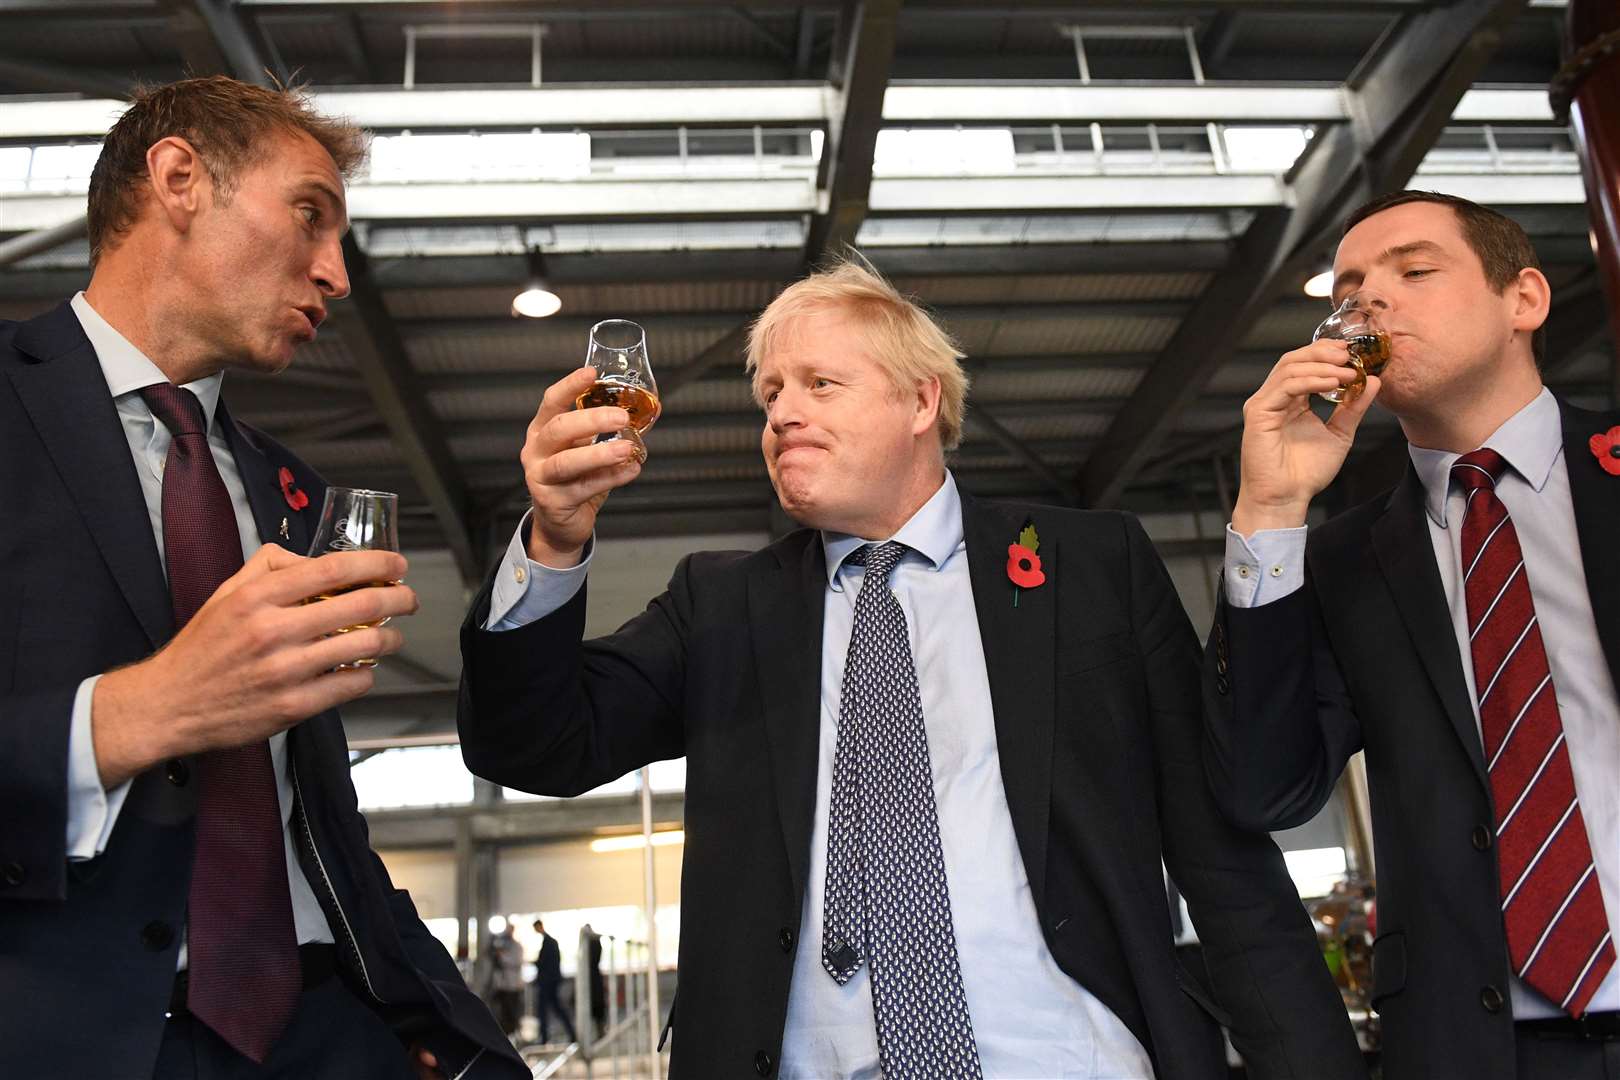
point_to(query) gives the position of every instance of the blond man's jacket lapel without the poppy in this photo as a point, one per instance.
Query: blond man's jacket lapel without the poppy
(787, 608)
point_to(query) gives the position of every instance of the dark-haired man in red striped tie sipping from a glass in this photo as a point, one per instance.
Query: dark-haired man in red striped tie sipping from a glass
(1464, 631)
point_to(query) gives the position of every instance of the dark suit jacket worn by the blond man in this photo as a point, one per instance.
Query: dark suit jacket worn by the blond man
(1094, 681)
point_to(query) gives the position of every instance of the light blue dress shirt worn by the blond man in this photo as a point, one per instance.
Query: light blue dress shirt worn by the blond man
(1030, 1018)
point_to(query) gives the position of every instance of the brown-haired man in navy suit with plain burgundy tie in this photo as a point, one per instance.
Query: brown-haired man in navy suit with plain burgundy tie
(187, 888)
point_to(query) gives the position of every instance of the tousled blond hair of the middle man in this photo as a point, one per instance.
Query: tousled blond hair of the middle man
(902, 339)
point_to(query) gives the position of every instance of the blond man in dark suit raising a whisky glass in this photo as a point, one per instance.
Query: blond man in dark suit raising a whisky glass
(936, 747)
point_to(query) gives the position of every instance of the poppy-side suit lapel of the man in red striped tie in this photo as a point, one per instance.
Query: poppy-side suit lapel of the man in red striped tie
(1597, 498)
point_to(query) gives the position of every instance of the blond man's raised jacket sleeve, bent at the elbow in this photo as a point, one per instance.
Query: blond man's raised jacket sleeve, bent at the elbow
(547, 713)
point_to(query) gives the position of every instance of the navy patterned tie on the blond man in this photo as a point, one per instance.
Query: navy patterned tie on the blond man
(887, 899)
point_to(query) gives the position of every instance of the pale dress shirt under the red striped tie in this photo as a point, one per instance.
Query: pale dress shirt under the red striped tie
(1537, 491)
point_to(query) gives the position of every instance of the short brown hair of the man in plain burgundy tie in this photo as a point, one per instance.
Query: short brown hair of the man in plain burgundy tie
(226, 121)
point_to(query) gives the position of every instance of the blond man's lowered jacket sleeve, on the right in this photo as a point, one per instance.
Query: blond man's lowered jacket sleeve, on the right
(1285, 1014)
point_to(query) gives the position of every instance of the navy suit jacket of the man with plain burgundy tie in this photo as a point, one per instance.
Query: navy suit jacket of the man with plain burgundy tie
(88, 950)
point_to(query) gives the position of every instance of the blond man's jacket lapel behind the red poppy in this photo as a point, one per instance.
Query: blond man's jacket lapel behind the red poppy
(1020, 660)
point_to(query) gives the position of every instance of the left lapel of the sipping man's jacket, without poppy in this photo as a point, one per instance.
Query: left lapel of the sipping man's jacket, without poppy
(1405, 551)
